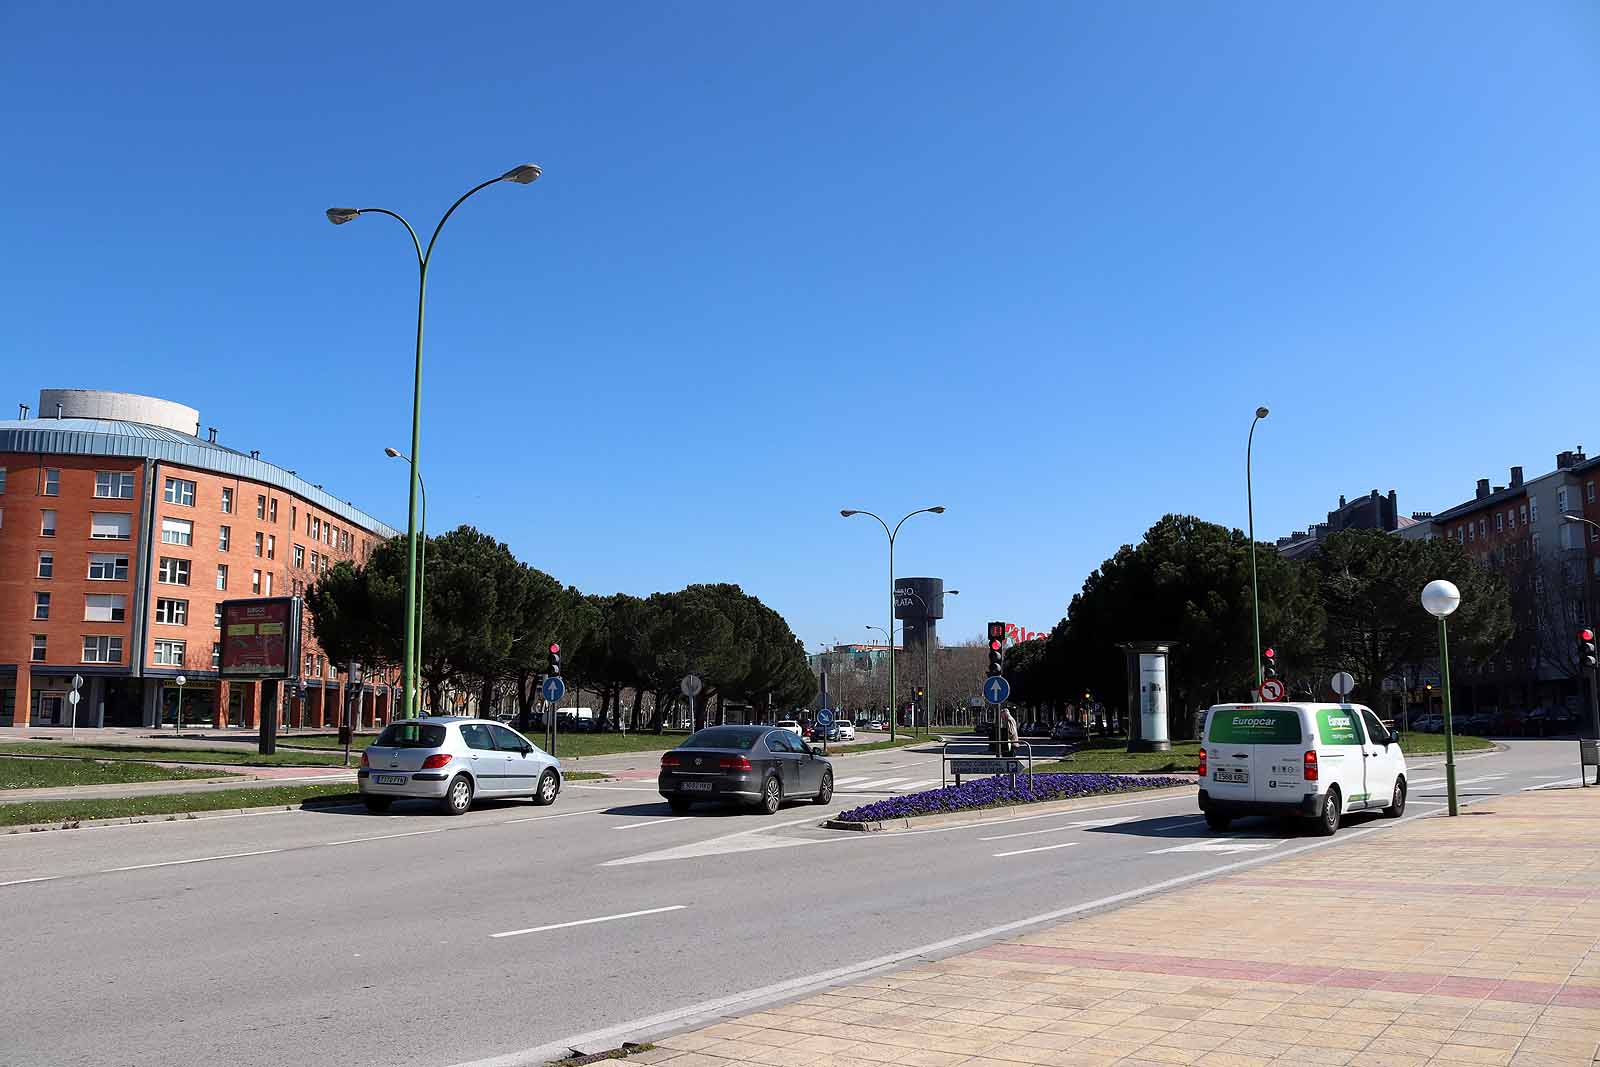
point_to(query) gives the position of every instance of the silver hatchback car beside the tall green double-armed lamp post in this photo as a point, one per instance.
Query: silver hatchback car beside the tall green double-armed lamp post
(452, 761)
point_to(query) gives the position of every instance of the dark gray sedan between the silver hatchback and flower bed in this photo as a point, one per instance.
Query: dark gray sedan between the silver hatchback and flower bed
(750, 765)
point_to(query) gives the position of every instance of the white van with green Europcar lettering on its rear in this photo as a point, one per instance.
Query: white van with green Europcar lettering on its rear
(1311, 761)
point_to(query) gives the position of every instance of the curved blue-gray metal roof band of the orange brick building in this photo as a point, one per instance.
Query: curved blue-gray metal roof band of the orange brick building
(137, 441)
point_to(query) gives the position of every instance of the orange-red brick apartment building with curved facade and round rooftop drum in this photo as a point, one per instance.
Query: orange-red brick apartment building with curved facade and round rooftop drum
(121, 533)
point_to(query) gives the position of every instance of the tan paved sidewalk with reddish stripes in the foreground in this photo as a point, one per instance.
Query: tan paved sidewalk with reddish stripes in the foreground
(1439, 943)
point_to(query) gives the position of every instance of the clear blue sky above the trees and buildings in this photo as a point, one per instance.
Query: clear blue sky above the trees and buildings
(1033, 262)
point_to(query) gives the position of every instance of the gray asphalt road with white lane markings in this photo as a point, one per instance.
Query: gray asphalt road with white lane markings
(503, 935)
